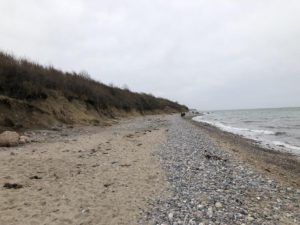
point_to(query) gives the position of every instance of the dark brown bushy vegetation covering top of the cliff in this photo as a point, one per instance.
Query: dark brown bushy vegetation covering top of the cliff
(29, 81)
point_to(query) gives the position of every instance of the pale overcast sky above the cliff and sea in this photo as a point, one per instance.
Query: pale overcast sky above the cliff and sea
(207, 54)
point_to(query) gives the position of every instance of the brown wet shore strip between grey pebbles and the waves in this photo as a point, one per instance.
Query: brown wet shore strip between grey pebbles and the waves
(281, 166)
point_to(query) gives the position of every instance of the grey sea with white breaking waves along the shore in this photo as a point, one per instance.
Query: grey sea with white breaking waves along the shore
(274, 128)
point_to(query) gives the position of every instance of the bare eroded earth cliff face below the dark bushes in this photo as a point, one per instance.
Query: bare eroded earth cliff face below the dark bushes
(56, 110)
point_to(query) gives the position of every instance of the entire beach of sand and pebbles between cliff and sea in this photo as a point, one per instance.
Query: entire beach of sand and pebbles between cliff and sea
(147, 170)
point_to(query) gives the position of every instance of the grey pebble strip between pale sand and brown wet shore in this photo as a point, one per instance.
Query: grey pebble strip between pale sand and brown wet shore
(209, 187)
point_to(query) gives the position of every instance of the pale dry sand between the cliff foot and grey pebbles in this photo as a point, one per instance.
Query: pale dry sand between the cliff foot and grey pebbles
(84, 175)
